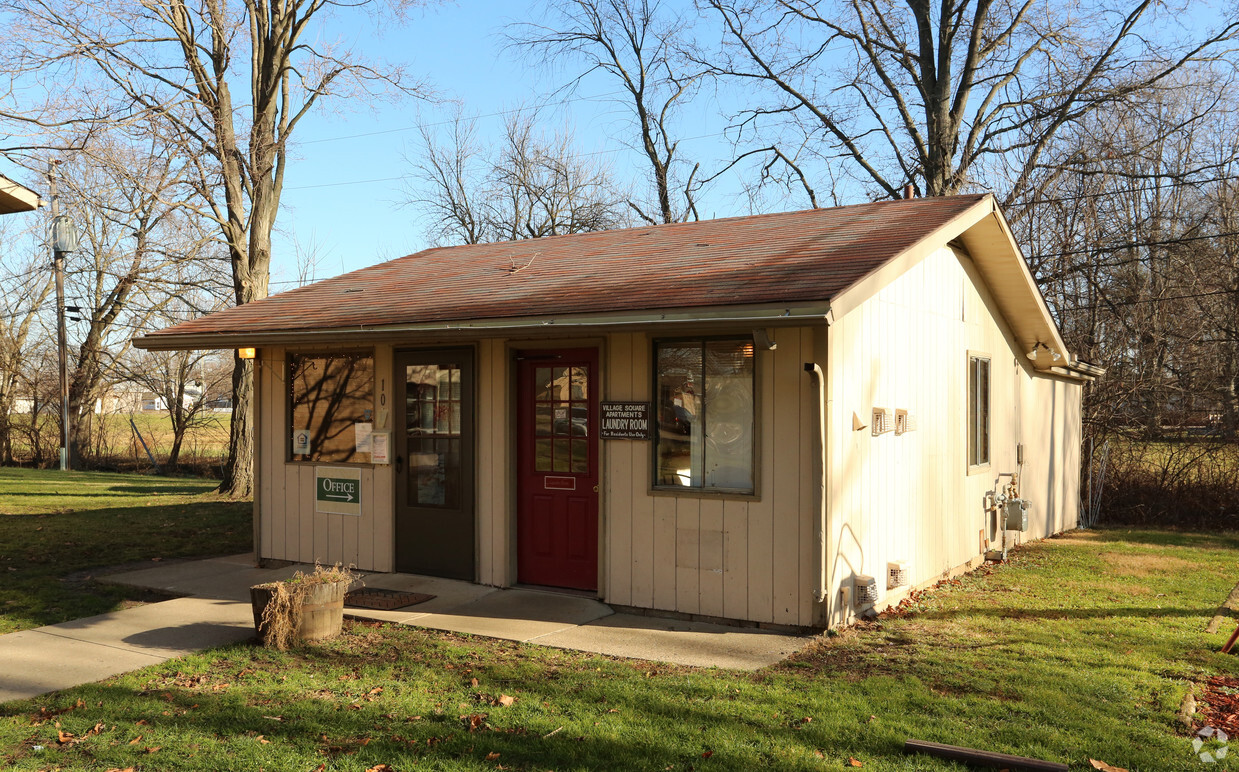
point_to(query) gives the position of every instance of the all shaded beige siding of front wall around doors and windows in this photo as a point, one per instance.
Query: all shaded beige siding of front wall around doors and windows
(744, 558)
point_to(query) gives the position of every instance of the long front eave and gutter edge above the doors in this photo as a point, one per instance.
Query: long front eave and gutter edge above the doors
(768, 315)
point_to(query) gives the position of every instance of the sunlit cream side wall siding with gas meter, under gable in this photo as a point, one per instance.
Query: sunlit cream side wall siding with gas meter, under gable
(914, 498)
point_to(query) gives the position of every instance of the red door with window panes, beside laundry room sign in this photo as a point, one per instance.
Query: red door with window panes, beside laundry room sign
(558, 469)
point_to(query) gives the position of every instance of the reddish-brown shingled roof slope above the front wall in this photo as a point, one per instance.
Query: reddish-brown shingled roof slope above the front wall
(796, 257)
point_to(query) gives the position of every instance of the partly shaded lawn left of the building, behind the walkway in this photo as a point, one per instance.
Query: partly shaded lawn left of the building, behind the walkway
(56, 529)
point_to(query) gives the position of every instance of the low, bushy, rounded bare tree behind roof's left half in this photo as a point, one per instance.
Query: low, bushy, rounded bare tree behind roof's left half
(530, 186)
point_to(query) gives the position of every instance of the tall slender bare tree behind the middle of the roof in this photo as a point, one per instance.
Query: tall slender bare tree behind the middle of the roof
(637, 44)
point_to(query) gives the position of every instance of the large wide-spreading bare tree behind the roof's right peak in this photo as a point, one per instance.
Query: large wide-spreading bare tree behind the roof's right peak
(935, 95)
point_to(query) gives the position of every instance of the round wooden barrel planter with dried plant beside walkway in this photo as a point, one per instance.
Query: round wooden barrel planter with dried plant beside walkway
(305, 608)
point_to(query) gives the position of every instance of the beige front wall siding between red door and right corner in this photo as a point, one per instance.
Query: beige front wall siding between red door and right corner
(742, 558)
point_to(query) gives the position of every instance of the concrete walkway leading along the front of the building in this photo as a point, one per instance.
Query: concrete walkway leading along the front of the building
(216, 612)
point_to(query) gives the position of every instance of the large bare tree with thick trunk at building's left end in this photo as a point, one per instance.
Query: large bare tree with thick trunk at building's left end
(178, 64)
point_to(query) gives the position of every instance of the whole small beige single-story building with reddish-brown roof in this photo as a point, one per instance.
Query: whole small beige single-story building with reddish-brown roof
(738, 419)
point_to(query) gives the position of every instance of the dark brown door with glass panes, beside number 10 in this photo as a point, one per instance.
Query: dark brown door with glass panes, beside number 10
(434, 463)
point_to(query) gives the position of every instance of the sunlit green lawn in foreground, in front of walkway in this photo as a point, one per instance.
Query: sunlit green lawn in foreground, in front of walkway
(1081, 647)
